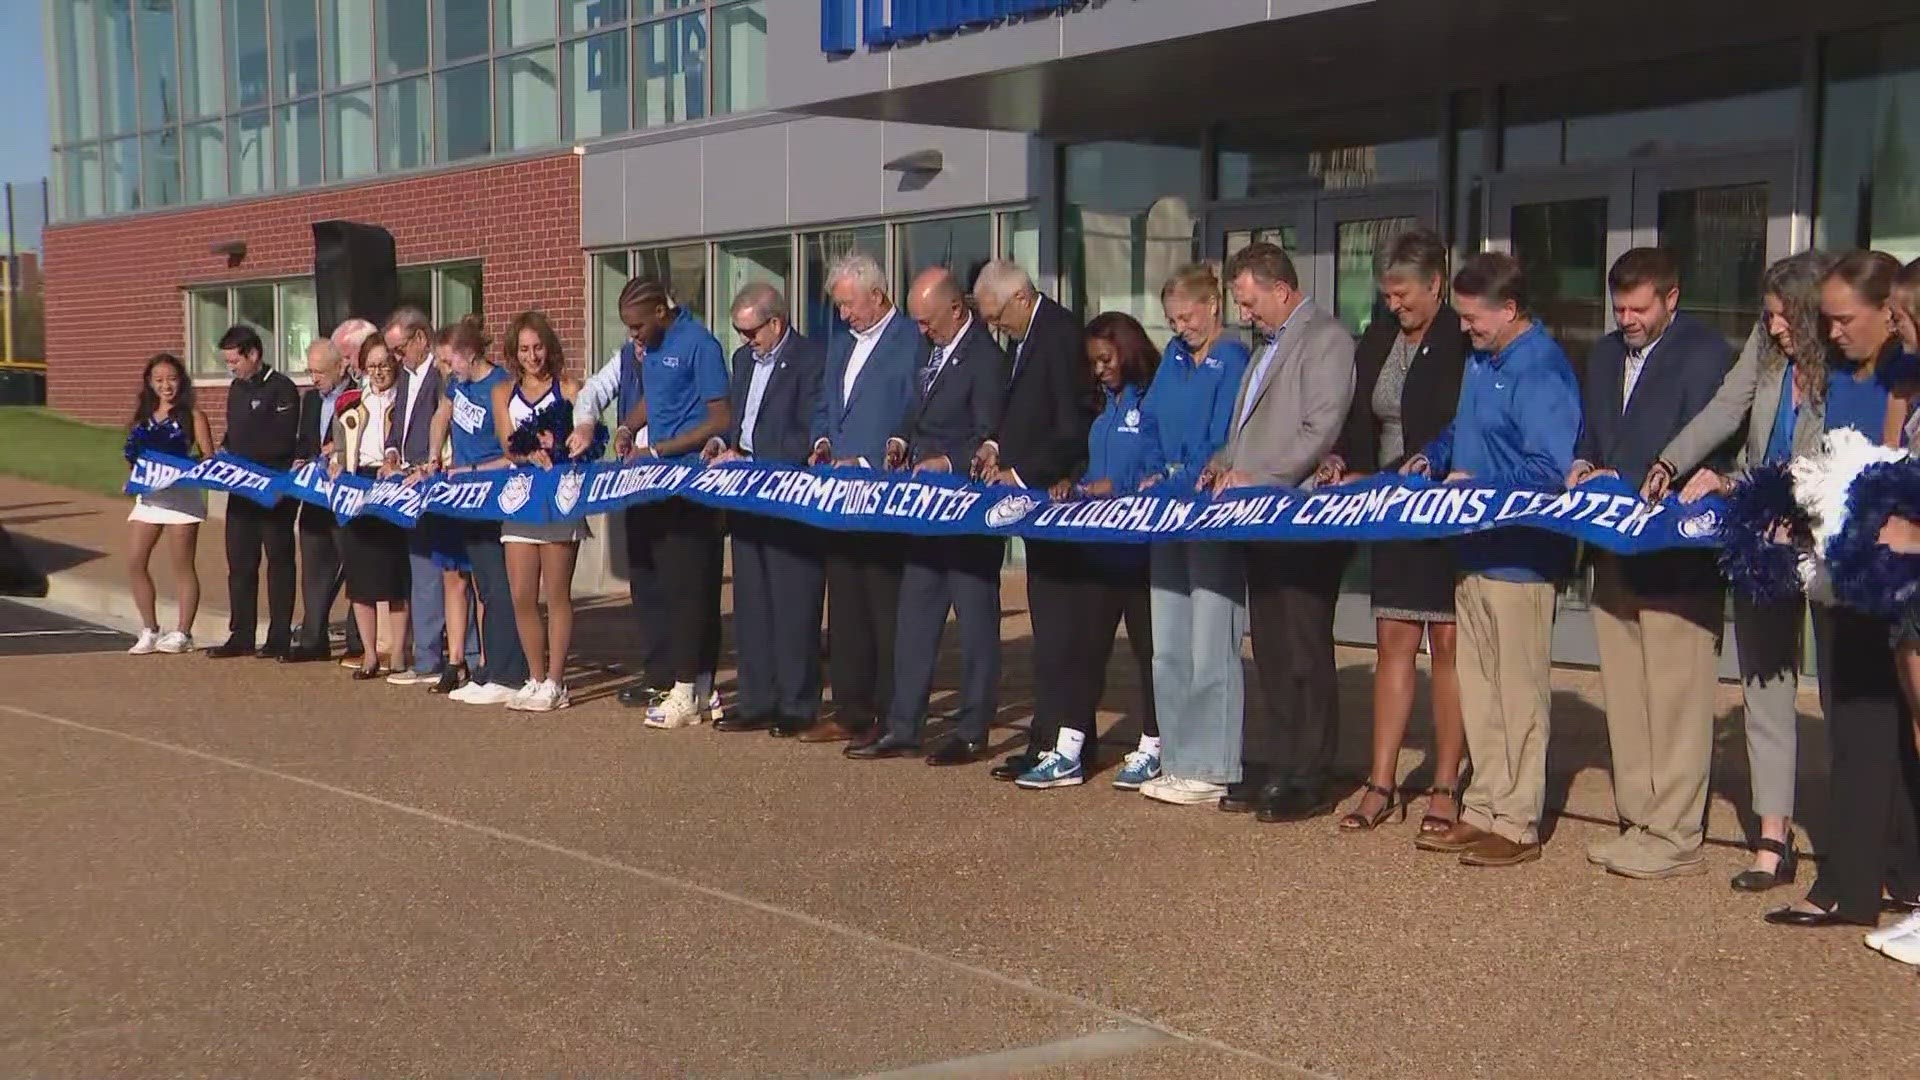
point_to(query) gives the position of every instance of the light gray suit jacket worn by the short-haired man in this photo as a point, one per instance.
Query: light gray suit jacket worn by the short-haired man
(1301, 405)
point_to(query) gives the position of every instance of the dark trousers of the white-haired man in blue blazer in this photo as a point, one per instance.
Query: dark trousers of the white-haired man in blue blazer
(863, 606)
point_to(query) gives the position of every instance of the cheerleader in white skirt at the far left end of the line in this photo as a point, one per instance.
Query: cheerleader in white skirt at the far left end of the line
(166, 422)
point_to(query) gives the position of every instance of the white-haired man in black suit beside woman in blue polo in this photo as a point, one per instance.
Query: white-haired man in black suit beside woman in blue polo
(1042, 439)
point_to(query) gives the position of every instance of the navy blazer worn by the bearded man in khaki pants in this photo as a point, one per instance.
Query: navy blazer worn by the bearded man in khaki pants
(1681, 376)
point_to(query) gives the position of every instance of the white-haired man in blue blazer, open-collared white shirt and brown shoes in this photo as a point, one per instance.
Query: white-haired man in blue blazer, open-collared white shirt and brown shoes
(863, 401)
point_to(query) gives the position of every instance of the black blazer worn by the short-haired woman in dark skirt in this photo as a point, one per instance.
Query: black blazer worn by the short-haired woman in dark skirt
(1428, 401)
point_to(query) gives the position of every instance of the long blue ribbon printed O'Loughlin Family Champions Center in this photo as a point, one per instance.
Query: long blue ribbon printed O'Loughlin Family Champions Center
(1606, 512)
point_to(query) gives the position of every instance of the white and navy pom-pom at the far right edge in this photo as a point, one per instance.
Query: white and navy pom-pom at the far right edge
(1848, 491)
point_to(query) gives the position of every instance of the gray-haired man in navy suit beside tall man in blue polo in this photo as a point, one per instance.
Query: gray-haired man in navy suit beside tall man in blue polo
(779, 583)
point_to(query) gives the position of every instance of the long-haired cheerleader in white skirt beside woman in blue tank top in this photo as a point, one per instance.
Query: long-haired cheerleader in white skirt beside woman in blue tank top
(535, 416)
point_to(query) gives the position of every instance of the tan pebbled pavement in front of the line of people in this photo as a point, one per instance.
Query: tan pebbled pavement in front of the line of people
(247, 870)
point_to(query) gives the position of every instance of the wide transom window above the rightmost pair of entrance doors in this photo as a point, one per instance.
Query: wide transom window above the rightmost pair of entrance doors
(1729, 99)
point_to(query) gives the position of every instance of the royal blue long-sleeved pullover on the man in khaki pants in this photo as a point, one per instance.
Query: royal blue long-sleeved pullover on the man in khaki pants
(1518, 422)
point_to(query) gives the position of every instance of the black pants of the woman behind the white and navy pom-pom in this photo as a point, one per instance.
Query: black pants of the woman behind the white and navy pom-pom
(1873, 775)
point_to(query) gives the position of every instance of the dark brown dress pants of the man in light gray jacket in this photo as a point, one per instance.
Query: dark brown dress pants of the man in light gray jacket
(1295, 722)
